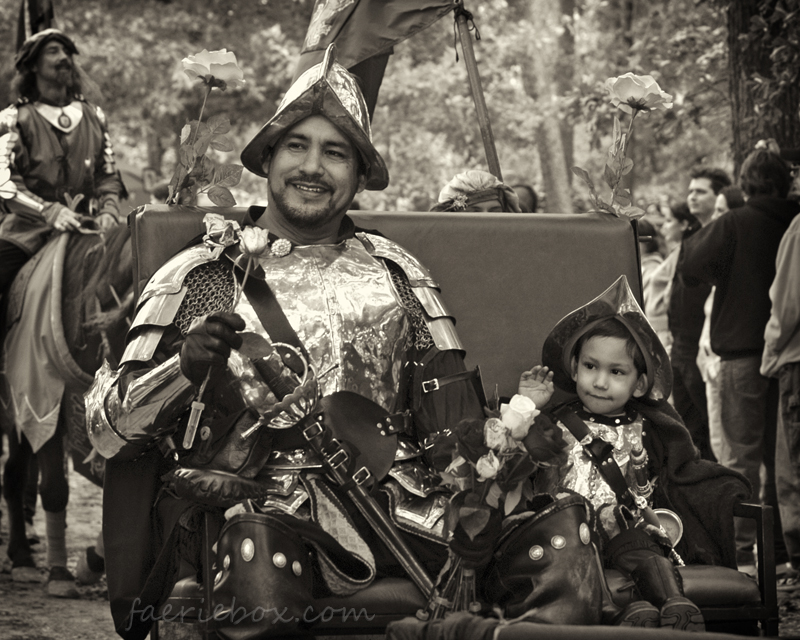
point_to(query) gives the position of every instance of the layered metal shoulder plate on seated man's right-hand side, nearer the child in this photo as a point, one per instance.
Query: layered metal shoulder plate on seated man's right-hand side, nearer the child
(439, 321)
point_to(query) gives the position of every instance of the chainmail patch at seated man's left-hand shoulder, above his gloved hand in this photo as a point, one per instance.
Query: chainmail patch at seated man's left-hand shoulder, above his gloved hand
(210, 288)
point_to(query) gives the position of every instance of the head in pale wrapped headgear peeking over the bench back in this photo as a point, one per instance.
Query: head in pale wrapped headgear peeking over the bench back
(476, 190)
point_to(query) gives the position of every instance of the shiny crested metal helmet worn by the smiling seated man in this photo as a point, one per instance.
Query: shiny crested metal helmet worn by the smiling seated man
(330, 90)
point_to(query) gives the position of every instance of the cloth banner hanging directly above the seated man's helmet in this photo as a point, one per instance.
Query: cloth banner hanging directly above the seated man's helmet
(365, 32)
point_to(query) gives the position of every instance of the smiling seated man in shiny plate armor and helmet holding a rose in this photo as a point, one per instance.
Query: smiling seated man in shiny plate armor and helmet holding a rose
(237, 344)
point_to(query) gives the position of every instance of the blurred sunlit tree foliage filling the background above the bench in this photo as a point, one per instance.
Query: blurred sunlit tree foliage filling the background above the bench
(425, 124)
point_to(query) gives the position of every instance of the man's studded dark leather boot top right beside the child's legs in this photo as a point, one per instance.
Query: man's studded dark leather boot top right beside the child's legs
(548, 568)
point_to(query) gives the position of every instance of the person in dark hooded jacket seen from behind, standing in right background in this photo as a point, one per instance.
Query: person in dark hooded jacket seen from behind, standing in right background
(736, 253)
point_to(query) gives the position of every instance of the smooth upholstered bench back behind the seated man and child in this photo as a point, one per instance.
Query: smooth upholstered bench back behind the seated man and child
(507, 278)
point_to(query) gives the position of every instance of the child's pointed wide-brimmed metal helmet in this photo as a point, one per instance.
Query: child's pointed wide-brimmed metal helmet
(617, 302)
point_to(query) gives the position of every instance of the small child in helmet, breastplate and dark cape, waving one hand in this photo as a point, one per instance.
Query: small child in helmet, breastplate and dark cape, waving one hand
(627, 452)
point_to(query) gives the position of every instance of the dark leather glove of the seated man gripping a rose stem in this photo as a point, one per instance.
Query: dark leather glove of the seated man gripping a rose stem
(208, 344)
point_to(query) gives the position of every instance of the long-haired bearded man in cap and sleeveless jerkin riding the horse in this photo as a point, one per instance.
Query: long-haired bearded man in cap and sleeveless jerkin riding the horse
(56, 159)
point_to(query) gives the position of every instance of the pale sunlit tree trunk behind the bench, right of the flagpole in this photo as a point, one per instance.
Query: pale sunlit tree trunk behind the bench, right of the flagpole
(540, 84)
